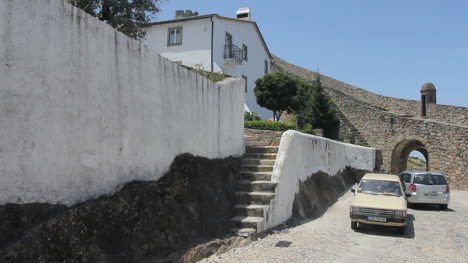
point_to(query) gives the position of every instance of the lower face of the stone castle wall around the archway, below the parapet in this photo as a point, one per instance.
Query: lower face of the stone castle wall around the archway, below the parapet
(447, 144)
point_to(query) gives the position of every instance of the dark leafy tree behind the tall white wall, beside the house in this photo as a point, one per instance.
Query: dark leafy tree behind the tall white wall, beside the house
(127, 16)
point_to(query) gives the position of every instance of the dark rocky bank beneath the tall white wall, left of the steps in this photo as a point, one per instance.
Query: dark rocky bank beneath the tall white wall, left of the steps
(143, 222)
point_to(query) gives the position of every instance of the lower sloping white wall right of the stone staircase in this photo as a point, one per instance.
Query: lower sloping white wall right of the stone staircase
(301, 155)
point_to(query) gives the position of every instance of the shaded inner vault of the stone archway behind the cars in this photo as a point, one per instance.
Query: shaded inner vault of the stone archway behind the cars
(401, 152)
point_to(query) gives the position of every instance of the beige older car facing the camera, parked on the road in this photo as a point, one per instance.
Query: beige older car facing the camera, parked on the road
(379, 200)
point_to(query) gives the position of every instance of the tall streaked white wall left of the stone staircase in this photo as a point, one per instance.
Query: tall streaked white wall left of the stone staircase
(84, 109)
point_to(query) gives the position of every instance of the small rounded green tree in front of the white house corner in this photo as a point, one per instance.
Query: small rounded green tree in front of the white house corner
(276, 92)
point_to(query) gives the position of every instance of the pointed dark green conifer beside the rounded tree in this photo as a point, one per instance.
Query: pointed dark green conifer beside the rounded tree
(315, 108)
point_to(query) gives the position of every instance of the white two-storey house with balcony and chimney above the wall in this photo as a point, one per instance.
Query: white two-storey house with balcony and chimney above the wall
(233, 46)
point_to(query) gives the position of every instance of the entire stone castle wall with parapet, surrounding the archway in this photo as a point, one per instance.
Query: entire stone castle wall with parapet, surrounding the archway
(385, 122)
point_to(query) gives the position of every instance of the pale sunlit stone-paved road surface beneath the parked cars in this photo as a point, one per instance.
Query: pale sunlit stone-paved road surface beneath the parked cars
(432, 236)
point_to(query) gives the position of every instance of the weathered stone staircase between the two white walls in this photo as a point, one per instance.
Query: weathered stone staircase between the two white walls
(255, 189)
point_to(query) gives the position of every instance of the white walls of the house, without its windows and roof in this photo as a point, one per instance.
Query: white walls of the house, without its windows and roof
(195, 50)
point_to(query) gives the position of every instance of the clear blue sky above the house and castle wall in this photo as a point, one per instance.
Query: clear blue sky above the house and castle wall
(387, 47)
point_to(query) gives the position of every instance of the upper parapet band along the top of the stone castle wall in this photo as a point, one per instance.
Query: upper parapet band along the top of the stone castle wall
(443, 113)
